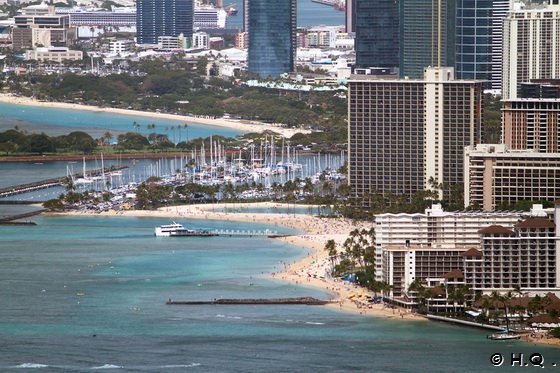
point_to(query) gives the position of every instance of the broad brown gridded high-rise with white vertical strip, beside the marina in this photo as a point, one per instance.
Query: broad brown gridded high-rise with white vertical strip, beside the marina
(405, 133)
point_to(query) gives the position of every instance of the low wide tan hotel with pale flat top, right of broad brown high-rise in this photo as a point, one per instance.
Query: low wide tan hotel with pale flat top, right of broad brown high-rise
(497, 176)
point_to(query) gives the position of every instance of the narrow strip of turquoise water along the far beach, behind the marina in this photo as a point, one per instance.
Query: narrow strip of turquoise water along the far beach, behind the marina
(56, 122)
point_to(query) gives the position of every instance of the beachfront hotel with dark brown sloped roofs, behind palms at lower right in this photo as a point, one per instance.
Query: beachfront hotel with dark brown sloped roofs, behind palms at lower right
(524, 253)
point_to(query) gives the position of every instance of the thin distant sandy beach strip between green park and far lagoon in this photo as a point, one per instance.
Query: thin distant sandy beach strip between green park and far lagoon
(246, 126)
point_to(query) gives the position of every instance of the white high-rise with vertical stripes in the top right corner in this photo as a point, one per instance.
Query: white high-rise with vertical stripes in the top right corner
(531, 39)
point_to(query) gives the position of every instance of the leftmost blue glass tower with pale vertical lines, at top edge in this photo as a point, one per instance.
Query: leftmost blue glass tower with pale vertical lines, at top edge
(156, 18)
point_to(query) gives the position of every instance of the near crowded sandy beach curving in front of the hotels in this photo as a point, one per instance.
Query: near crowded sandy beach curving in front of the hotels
(310, 271)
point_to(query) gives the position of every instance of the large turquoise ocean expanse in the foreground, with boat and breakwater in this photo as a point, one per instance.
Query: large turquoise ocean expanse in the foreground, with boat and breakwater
(88, 293)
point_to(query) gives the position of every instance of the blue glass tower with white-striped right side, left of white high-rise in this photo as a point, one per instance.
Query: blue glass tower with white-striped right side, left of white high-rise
(479, 40)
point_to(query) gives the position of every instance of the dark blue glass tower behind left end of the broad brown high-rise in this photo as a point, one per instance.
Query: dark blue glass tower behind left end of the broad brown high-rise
(376, 24)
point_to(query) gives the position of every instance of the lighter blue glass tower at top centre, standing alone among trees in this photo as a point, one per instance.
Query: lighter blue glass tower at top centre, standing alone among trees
(272, 36)
